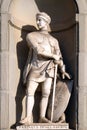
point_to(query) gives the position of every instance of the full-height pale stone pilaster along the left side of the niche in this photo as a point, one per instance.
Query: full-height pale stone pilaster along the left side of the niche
(4, 92)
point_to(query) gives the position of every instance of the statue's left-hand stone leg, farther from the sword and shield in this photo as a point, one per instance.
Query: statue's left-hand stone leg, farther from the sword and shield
(31, 88)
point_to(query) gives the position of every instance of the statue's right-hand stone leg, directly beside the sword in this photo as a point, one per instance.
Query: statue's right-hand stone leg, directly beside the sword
(46, 87)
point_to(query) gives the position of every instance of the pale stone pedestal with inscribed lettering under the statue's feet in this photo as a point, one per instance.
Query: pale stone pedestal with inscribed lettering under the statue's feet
(44, 126)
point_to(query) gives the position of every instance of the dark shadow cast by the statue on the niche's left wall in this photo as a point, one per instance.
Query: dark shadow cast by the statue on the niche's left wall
(22, 53)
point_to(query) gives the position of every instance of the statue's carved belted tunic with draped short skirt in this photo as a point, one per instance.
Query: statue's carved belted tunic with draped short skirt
(41, 67)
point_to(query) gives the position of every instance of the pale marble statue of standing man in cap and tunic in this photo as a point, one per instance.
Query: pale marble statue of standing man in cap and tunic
(43, 55)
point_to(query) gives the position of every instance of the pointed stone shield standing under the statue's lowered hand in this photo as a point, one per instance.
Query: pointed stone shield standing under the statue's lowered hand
(62, 96)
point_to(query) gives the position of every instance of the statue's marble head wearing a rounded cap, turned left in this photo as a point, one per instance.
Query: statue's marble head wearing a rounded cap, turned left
(42, 19)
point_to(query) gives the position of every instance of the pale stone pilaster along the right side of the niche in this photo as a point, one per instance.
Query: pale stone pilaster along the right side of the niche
(82, 81)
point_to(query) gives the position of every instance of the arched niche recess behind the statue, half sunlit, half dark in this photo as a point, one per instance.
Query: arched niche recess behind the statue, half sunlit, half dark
(63, 27)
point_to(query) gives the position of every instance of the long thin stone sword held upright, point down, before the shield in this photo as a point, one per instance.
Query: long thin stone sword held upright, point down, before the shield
(54, 88)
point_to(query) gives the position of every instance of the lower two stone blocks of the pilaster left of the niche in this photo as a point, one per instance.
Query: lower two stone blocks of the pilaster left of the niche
(4, 92)
